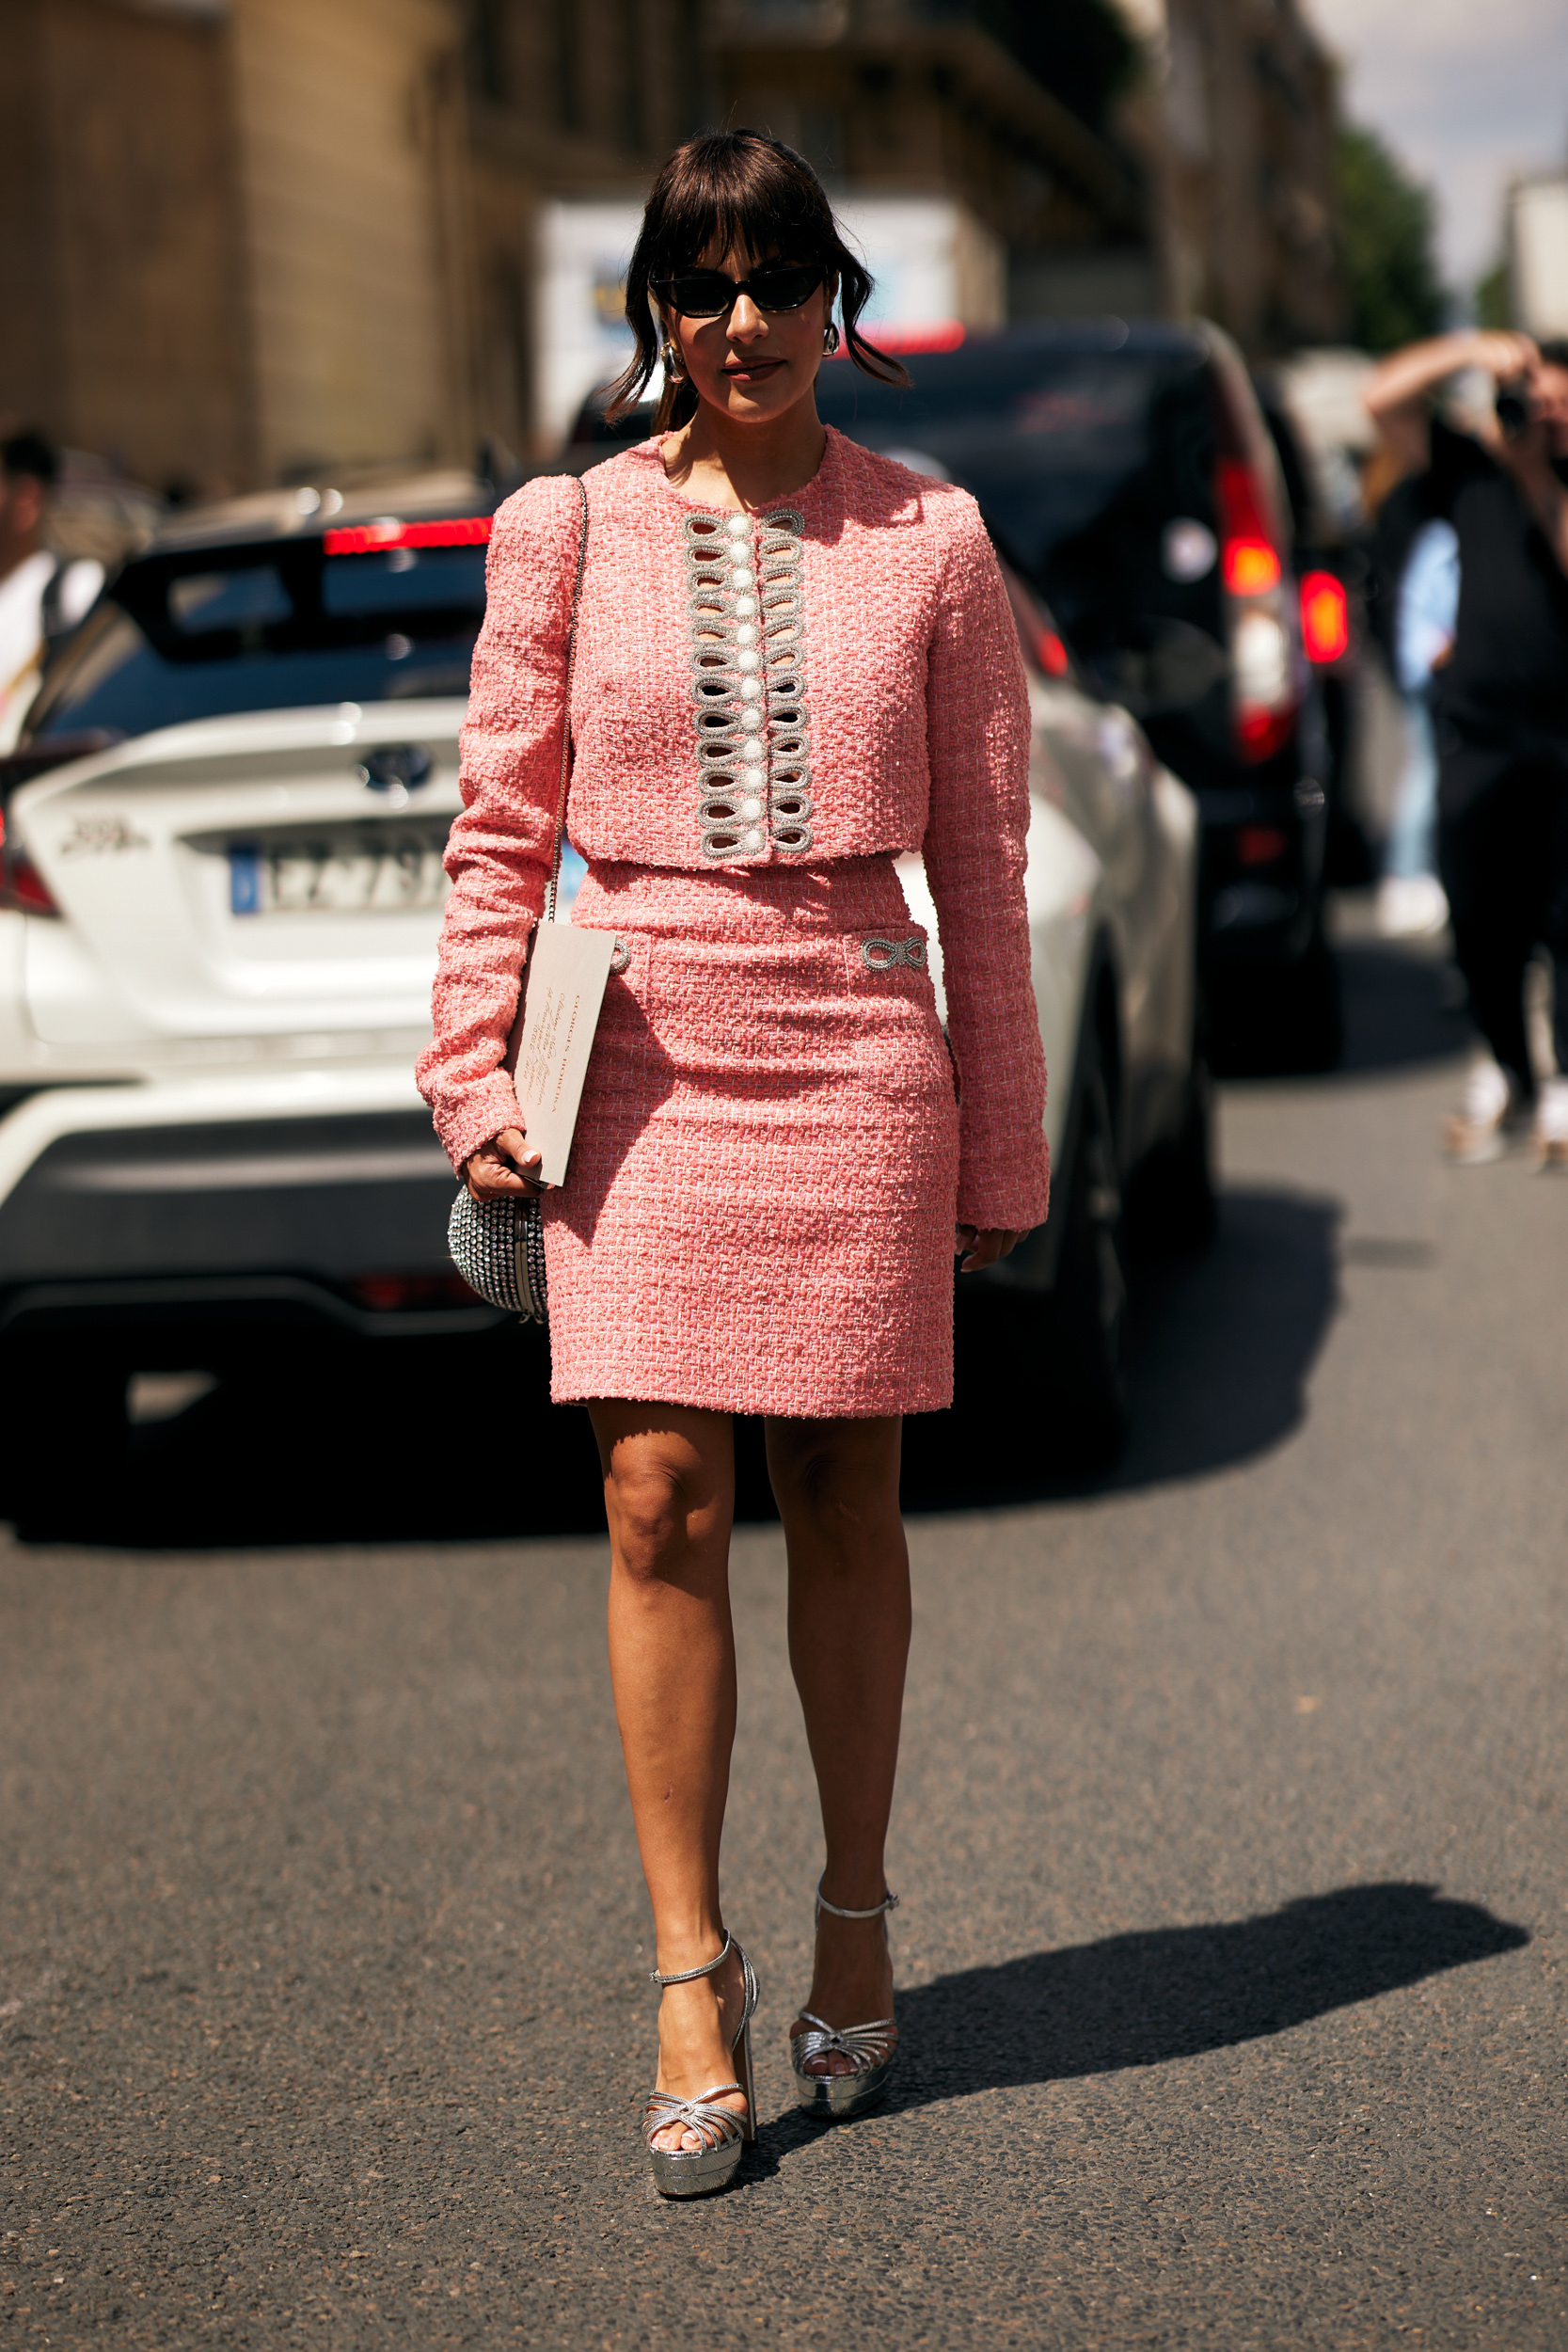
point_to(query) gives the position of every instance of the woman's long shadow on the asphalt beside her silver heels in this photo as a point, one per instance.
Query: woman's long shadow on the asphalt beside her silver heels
(1172, 1993)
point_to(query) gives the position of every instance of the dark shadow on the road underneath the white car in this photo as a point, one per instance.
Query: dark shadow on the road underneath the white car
(344, 1445)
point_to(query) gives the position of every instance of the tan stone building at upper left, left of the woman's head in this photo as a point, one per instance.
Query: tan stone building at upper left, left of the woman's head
(253, 241)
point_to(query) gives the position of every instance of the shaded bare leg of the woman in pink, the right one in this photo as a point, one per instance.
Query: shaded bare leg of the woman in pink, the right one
(850, 1641)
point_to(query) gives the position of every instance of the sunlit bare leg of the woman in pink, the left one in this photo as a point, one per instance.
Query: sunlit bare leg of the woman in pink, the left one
(669, 1499)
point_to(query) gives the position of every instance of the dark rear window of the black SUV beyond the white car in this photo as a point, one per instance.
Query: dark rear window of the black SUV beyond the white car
(1083, 462)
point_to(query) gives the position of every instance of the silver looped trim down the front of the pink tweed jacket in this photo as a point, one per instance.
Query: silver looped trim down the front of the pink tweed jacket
(749, 686)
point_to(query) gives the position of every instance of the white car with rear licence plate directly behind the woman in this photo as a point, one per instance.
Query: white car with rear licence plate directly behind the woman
(222, 895)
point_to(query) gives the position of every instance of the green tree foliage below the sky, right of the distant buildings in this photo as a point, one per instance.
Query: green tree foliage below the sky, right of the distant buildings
(1388, 260)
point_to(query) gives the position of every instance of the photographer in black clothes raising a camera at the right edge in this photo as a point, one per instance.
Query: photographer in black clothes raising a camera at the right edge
(1501, 704)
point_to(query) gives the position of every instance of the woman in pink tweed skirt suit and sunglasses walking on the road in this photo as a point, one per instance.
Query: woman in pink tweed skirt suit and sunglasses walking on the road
(791, 664)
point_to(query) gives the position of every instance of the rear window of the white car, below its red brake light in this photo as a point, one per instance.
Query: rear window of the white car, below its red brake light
(210, 632)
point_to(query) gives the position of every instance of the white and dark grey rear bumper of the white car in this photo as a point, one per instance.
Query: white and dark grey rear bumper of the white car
(319, 1198)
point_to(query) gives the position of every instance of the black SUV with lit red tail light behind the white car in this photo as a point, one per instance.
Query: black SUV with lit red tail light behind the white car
(1130, 476)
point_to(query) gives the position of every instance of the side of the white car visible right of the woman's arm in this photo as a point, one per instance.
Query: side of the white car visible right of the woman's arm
(1113, 921)
